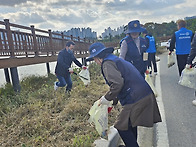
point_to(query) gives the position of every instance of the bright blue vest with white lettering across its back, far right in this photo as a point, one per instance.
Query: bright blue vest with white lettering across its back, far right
(183, 41)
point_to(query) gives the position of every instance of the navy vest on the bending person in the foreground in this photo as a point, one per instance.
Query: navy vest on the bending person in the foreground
(135, 87)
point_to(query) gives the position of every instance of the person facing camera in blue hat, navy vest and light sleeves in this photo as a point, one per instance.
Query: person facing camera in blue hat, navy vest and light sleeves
(133, 47)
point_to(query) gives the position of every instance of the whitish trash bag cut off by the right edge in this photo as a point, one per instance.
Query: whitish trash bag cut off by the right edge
(188, 78)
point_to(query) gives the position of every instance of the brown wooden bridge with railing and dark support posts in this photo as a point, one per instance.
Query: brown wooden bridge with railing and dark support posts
(22, 45)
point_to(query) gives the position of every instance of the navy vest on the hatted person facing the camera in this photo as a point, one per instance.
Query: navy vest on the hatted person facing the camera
(134, 55)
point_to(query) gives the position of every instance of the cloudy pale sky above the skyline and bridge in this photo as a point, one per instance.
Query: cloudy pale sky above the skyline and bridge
(97, 14)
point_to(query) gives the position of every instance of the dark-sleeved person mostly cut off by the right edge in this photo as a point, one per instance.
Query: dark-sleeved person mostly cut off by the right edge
(190, 59)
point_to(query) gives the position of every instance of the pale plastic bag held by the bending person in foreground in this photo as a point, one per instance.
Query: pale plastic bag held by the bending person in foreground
(99, 116)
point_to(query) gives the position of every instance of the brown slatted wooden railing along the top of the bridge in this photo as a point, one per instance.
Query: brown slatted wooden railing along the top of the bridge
(17, 40)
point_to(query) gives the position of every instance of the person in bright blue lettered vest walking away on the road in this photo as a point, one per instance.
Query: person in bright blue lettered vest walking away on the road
(181, 41)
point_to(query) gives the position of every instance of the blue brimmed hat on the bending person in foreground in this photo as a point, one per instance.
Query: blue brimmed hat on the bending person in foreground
(96, 48)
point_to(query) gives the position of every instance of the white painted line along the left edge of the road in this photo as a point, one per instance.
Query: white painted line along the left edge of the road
(161, 128)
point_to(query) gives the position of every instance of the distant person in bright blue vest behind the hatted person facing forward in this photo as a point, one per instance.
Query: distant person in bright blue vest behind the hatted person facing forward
(151, 50)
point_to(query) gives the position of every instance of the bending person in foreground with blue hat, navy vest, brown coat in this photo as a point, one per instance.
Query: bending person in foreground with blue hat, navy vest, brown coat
(126, 84)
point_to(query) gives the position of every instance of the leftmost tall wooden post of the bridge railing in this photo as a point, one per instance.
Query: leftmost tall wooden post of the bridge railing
(9, 37)
